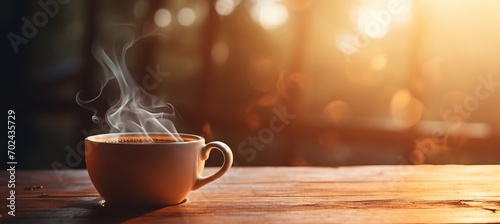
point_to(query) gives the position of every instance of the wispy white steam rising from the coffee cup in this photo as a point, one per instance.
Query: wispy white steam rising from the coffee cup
(135, 110)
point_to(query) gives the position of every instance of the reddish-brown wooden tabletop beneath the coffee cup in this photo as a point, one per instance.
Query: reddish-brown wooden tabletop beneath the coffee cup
(364, 194)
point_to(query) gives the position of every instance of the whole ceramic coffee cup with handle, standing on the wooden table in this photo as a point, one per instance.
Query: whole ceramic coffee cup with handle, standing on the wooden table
(131, 170)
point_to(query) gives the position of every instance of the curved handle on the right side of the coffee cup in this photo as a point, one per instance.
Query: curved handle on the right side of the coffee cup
(228, 162)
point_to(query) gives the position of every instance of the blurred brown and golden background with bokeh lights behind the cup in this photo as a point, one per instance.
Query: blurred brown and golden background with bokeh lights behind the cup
(282, 82)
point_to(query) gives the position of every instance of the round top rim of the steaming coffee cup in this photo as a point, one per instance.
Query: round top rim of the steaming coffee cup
(96, 138)
